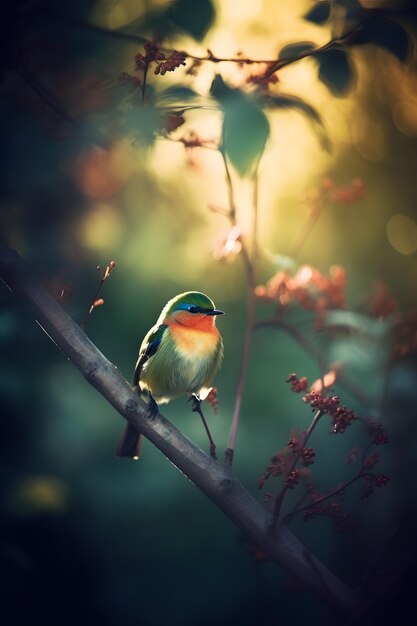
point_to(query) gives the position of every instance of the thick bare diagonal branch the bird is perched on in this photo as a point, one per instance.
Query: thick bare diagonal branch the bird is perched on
(213, 478)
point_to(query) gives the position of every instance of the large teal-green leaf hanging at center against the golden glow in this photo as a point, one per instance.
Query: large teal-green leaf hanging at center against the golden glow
(245, 126)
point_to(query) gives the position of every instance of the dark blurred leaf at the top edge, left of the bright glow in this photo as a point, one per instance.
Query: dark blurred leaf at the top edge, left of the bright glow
(195, 18)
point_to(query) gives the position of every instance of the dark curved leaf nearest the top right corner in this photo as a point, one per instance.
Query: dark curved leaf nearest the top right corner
(386, 33)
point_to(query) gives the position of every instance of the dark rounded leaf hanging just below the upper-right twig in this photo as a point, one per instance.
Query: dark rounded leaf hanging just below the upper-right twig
(335, 70)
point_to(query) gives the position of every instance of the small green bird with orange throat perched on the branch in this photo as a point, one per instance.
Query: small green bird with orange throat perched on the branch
(179, 355)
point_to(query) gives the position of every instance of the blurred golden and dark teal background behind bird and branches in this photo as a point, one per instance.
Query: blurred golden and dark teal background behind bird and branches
(87, 538)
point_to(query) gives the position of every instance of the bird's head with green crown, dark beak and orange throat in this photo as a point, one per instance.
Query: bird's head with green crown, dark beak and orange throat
(191, 308)
